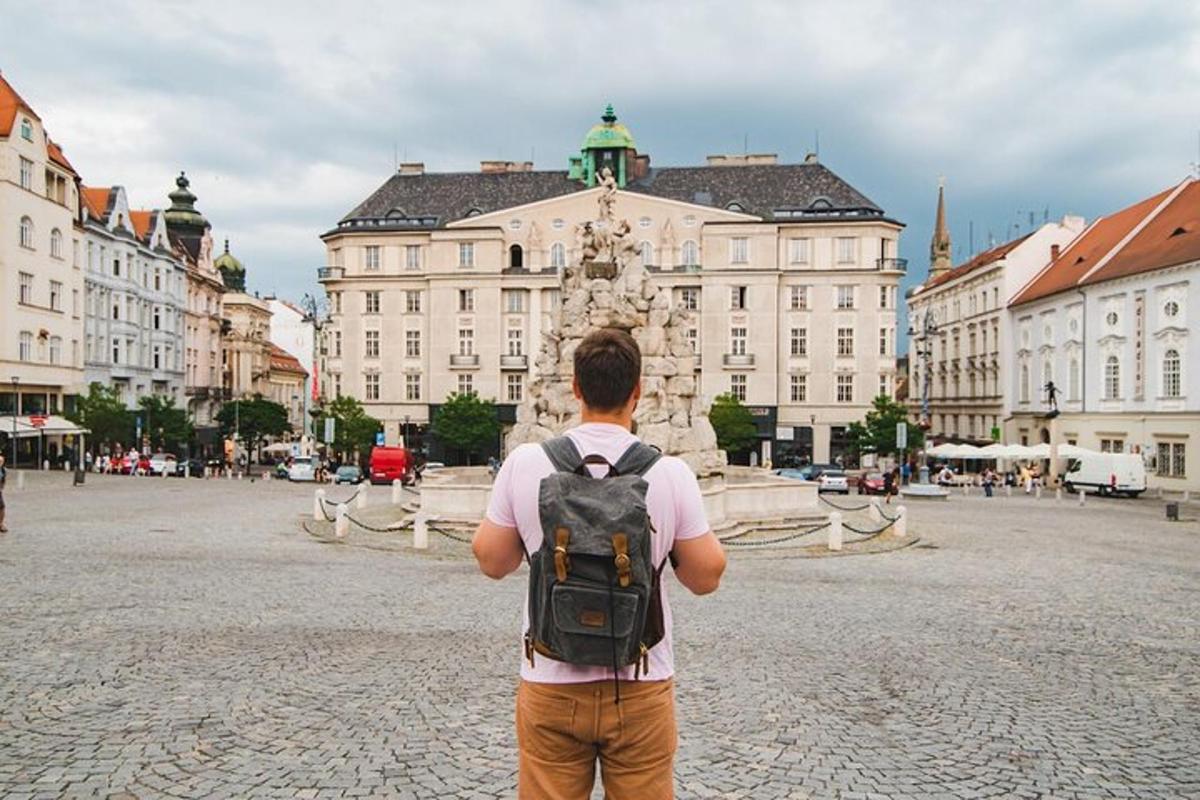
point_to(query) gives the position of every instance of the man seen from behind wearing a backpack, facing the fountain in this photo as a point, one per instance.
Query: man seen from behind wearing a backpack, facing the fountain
(599, 516)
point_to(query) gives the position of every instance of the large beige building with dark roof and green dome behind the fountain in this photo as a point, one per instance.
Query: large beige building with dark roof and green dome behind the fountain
(442, 282)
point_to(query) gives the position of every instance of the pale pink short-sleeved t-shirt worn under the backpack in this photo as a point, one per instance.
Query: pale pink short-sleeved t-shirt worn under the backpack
(673, 501)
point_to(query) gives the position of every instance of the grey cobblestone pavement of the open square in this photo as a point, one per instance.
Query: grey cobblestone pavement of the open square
(171, 639)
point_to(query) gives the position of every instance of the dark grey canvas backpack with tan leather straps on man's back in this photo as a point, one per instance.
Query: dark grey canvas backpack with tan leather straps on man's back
(593, 587)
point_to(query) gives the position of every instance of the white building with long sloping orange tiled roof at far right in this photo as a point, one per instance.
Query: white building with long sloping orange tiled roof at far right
(1109, 323)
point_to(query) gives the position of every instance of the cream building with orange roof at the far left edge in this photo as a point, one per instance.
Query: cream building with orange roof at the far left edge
(41, 270)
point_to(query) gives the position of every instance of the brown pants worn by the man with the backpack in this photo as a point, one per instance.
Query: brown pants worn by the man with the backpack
(563, 729)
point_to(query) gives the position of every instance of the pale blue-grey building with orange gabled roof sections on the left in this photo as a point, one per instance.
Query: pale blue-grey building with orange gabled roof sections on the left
(135, 296)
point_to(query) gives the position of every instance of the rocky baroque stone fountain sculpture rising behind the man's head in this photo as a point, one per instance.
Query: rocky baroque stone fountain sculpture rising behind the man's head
(610, 288)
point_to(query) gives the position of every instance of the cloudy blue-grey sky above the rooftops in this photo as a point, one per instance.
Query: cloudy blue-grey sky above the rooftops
(287, 115)
